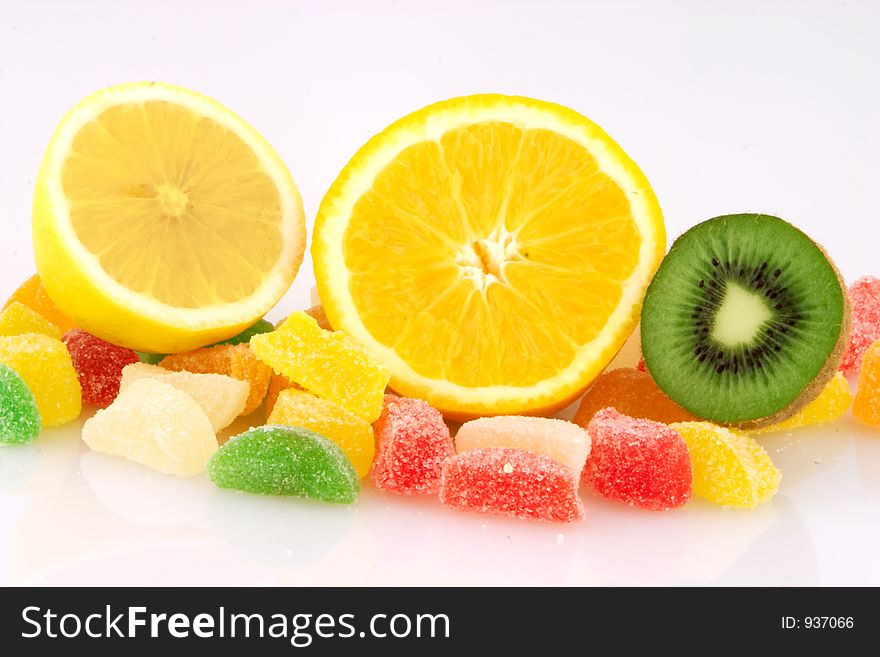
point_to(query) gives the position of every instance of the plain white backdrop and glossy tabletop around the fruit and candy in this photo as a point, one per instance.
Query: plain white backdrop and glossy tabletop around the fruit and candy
(727, 107)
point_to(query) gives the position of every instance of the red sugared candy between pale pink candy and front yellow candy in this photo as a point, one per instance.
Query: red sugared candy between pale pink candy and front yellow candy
(641, 463)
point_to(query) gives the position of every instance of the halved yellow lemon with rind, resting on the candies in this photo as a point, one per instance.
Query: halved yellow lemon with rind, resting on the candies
(162, 221)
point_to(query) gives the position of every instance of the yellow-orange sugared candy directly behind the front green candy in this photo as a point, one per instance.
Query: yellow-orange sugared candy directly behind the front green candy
(298, 408)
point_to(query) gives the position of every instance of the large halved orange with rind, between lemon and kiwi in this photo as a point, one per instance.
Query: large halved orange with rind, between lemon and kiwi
(492, 251)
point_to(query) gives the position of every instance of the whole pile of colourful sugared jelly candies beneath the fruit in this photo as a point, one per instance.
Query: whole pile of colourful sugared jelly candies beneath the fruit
(323, 422)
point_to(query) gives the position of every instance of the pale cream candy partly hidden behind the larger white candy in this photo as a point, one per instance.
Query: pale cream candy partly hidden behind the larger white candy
(221, 397)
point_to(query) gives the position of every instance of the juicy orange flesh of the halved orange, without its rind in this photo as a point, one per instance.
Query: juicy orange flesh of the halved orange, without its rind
(511, 259)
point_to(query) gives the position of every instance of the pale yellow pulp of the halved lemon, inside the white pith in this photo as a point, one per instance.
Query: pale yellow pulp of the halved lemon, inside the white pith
(148, 187)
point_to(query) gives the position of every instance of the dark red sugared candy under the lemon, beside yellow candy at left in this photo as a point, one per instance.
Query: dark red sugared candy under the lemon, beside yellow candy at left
(98, 366)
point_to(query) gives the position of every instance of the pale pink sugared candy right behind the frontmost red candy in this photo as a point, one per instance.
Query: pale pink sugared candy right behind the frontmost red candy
(557, 439)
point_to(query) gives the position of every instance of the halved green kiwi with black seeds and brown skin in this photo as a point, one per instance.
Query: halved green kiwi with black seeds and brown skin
(745, 321)
